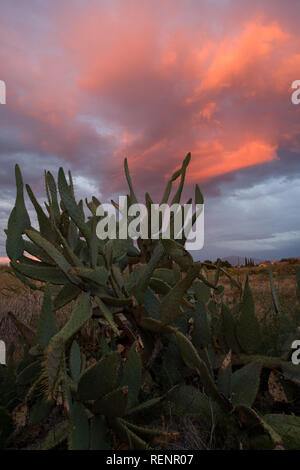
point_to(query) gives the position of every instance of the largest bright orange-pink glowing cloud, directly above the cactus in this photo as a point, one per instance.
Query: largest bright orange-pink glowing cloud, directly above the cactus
(170, 90)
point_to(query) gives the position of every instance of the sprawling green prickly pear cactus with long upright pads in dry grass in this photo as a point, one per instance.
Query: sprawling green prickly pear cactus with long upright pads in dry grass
(165, 337)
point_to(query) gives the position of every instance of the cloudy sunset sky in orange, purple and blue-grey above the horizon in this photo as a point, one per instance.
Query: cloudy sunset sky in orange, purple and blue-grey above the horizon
(90, 82)
